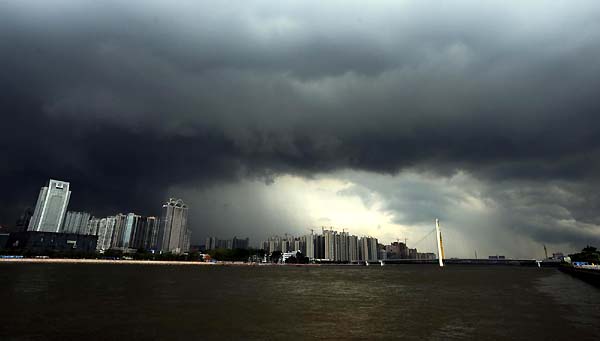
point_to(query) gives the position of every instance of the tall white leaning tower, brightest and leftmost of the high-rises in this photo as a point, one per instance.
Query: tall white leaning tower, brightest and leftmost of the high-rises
(50, 207)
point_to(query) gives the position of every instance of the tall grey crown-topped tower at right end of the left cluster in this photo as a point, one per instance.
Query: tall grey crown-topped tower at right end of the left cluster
(174, 235)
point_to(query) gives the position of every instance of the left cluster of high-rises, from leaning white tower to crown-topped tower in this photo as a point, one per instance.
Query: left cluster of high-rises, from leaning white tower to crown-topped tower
(125, 232)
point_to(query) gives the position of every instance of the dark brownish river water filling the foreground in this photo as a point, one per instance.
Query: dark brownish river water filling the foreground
(108, 301)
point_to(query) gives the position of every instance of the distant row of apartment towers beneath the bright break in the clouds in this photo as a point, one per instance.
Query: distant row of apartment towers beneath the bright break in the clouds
(330, 245)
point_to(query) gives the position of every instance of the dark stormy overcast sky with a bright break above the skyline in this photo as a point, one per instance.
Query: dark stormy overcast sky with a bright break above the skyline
(273, 117)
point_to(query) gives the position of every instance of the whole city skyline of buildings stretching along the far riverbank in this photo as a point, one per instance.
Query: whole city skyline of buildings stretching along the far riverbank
(132, 231)
